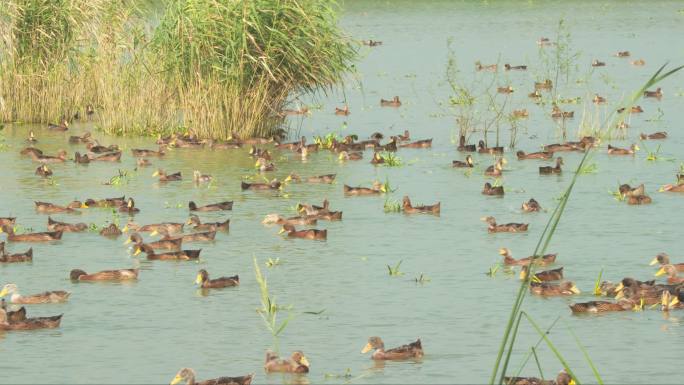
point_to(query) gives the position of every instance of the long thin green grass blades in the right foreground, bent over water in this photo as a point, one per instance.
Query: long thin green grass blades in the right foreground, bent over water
(511, 330)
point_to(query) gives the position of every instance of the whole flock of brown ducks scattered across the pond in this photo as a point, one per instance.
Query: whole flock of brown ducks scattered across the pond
(628, 293)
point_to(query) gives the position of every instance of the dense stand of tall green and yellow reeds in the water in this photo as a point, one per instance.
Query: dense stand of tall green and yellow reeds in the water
(220, 68)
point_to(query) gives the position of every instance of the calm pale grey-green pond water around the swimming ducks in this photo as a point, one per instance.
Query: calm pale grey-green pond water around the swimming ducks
(145, 331)
